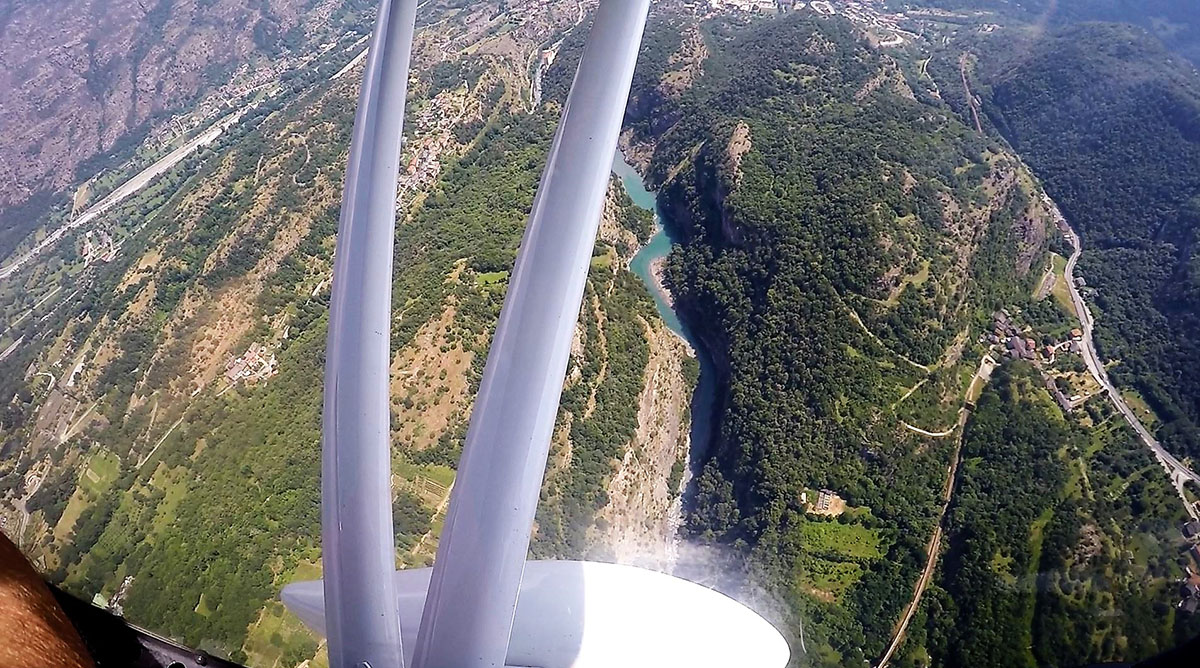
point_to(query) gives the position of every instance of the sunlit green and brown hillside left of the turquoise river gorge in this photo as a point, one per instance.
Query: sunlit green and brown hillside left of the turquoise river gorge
(182, 424)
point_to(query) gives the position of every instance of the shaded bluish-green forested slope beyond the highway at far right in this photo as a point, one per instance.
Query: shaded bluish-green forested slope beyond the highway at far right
(1112, 125)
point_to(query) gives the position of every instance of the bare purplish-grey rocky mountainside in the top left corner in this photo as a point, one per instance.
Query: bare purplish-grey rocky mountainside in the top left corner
(80, 79)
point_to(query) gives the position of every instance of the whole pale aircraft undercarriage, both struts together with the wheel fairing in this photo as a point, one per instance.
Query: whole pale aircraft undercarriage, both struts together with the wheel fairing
(483, 605)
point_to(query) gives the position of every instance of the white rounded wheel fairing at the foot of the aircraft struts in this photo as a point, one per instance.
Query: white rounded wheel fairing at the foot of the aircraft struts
(586, 615)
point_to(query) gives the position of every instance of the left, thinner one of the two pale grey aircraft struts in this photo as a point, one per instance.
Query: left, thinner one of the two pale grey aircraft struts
(358, 545)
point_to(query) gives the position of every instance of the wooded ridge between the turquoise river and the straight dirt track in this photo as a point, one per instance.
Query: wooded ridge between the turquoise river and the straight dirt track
(841, 239)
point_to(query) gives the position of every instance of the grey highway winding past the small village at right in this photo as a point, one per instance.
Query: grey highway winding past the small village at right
(1174, 468)
